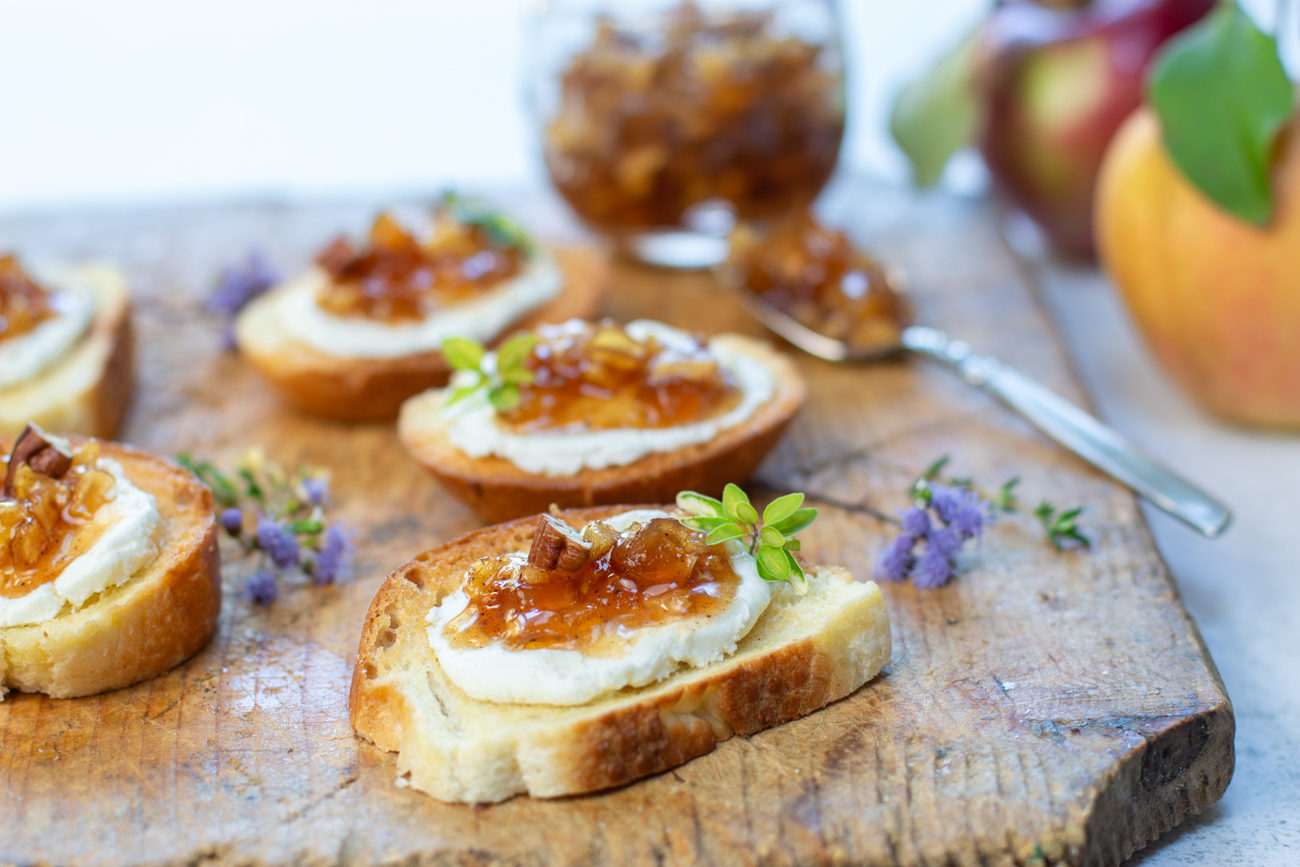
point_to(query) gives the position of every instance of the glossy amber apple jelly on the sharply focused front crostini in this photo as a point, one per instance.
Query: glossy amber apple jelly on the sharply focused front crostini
(645, 576)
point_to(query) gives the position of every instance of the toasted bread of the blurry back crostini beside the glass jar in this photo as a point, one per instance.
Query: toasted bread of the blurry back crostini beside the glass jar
(374, 389)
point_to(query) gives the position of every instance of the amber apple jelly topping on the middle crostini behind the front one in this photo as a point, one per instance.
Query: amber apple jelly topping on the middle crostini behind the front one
(599, 378)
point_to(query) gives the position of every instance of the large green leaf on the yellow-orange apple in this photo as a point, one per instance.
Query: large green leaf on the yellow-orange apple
(1223, 98)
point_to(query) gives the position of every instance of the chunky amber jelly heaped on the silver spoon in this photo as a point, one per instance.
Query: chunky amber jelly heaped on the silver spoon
(818, 278)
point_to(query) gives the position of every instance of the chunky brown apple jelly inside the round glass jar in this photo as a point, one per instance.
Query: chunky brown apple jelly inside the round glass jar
(653, 120)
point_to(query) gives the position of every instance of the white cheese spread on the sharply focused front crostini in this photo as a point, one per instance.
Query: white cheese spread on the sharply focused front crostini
(549, 677)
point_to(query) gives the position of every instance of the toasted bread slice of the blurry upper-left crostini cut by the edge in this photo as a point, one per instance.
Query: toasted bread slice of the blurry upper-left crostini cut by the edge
(89, 389)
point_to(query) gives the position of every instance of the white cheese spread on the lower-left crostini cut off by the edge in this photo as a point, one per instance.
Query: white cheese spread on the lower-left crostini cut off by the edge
(127, 547)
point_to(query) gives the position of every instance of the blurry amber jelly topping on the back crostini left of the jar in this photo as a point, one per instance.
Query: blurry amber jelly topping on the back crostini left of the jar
(400, 278)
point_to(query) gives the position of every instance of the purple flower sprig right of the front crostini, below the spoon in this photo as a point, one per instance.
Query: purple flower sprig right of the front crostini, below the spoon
(944, 517)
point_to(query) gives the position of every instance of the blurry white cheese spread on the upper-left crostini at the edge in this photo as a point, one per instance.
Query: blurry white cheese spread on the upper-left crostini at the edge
(28, 356)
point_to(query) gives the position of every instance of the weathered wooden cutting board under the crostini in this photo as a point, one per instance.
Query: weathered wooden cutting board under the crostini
(1045, 708)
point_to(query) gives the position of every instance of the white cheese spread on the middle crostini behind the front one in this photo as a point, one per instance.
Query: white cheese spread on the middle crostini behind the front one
(475, 431)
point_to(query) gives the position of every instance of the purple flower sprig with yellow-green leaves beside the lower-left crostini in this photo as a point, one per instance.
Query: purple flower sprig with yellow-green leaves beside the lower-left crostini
(287, 515)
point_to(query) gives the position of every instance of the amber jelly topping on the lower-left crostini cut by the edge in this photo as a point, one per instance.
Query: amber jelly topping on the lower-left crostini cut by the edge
(47, 523)
